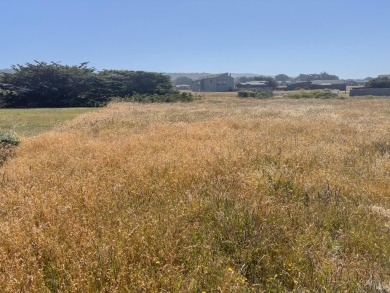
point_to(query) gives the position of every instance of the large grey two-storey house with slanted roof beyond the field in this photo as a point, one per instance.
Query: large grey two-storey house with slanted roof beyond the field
(214, 83)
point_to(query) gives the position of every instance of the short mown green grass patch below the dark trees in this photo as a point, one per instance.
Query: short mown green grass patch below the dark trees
(28, 122)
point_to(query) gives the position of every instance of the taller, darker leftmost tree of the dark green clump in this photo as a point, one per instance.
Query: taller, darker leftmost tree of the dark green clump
(50, 85)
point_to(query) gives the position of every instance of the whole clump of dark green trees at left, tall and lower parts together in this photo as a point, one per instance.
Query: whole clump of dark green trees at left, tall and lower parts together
(55, 85)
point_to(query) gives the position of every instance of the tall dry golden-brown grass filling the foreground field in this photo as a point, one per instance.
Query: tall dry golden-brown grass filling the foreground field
(218, 195)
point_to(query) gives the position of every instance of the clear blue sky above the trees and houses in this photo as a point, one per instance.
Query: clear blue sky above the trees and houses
(350, 38)
